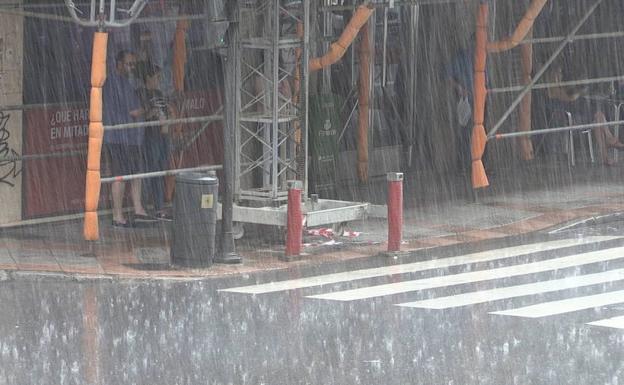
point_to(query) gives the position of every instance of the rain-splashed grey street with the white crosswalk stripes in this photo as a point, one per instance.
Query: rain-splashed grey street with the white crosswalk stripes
(544, 309)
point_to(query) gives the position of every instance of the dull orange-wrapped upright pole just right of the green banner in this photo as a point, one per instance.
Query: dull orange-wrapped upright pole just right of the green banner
(363, 100)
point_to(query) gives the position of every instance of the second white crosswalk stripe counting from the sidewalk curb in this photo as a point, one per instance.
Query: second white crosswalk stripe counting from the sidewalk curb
(475, 276)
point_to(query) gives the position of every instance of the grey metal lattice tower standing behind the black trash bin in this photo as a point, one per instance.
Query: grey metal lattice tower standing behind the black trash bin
(271, 137)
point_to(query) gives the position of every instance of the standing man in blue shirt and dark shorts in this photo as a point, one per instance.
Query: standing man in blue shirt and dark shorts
(125, 147)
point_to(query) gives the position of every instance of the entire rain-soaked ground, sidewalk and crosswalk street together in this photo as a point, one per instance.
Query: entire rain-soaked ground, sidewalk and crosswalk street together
(520, 287)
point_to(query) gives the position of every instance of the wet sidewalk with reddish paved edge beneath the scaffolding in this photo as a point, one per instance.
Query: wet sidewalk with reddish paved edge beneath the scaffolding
(144, 253)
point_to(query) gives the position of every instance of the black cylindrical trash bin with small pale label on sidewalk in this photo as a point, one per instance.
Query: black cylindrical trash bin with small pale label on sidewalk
(194, 219)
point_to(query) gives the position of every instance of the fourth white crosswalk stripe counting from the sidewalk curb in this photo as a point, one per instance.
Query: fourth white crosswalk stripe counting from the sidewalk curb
(565, 306)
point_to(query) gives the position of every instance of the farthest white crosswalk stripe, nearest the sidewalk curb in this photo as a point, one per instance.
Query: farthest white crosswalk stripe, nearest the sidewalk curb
(484, 256)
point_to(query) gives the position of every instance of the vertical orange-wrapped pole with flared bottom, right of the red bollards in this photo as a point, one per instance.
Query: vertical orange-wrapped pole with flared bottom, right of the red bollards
(479, 138)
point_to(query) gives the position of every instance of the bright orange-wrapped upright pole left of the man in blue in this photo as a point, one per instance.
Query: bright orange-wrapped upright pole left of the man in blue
(96, 134)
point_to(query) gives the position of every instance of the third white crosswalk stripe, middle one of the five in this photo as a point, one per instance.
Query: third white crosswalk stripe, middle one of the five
(483, 296)
